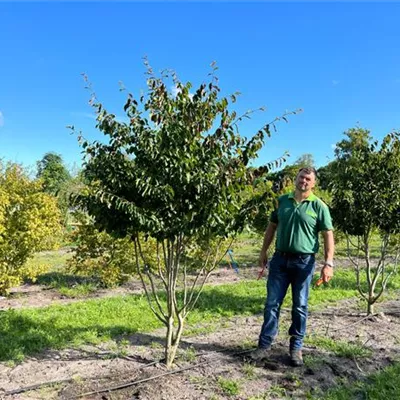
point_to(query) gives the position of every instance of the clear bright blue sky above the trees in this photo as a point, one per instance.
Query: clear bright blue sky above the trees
(338, 61)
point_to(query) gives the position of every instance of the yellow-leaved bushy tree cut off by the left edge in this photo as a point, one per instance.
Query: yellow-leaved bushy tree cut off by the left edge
(28, 217)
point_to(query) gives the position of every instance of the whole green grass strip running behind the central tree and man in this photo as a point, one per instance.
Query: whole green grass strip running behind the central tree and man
(29, 331)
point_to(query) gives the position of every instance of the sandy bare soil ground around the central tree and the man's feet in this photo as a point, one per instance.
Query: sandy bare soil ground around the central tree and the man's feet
(210, 366)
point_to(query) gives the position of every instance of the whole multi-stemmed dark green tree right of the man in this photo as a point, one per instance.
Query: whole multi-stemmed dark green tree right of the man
(366, 200)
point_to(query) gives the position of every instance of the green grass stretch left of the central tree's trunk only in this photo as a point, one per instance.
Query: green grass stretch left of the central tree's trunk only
(29, 331)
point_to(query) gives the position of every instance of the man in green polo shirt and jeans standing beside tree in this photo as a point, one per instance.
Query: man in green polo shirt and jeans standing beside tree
(298, 219)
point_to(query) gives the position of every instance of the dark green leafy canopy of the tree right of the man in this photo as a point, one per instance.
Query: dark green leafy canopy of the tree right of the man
(365, 183)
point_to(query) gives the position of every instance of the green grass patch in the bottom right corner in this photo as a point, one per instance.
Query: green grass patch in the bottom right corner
(381, 385)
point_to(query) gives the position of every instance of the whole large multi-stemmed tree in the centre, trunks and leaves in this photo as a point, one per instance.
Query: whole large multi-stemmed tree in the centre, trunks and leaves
(174, 172)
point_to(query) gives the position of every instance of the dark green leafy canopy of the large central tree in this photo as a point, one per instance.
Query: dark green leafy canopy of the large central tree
(176, 168)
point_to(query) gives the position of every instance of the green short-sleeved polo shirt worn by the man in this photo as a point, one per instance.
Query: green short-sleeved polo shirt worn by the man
(300, 223)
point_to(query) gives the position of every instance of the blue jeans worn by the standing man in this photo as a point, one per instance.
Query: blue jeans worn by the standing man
(284, 270)
